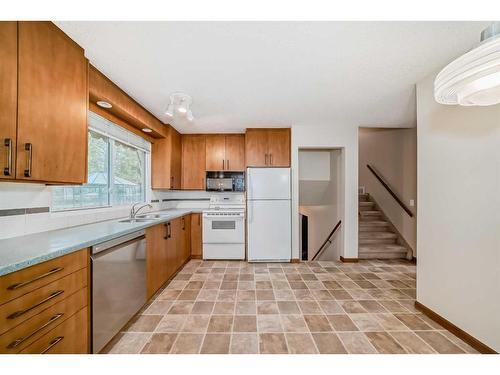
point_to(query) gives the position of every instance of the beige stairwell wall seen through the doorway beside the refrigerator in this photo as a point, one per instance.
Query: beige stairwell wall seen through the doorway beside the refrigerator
(321, 198)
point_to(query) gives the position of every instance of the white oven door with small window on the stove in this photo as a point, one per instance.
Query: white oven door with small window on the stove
(223, 229)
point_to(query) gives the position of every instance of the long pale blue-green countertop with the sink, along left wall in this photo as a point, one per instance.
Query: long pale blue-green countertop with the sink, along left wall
(20, 252)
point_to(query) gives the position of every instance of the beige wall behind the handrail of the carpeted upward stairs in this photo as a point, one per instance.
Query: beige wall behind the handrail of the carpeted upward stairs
(393, 152)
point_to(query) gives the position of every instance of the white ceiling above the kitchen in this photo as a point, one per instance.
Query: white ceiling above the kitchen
(269, 74)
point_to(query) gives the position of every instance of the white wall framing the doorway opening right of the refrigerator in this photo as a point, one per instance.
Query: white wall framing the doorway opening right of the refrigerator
(329, 136)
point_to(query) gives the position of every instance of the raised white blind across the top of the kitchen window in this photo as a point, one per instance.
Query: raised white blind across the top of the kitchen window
(109, 129)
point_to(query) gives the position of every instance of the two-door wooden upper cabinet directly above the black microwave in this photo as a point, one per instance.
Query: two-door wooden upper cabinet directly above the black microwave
(225, 152)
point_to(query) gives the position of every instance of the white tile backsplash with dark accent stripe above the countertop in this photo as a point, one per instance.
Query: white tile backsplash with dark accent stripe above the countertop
(25, 208)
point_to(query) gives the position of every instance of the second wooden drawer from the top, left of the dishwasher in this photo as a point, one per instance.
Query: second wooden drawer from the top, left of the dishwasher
(21, 309)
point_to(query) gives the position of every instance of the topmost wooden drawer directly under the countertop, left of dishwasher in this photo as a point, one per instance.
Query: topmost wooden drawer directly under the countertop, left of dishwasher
(23, 281)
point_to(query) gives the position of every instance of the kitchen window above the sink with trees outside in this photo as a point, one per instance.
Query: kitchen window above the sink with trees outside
(117, 162)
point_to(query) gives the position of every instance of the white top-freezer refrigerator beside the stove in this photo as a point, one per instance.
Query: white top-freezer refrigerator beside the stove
(269, 216)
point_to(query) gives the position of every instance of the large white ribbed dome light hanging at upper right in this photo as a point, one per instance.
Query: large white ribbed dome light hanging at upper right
(474, 78)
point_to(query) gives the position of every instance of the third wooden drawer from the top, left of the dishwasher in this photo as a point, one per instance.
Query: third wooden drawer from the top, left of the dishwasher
(24, 334)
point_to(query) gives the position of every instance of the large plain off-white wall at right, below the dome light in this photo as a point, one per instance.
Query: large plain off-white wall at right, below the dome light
(458, 229)
